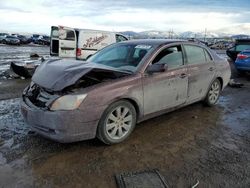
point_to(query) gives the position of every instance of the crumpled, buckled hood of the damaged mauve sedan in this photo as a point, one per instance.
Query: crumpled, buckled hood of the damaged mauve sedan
(58, 74)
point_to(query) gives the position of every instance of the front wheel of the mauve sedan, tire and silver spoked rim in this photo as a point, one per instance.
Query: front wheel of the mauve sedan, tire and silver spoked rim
(117, 122)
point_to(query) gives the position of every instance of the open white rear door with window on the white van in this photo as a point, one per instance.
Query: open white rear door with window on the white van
(67, 42)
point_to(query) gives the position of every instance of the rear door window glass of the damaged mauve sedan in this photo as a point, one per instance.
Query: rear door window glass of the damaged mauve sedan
(195, 54)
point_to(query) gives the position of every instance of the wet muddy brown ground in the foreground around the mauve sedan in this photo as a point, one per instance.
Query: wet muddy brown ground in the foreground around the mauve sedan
(211, 145)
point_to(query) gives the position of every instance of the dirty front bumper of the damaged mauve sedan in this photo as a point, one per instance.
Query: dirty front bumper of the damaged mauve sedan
(60, 126)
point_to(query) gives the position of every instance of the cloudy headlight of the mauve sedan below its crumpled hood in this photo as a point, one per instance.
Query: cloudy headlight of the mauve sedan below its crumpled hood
(68, 102)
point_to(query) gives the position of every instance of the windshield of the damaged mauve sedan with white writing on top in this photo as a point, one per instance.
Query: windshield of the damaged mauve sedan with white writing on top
(124, 57)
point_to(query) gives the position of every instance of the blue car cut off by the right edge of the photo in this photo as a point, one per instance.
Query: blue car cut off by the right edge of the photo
(242, 62)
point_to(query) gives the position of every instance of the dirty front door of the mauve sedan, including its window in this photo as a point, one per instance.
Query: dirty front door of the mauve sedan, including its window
(167, 89)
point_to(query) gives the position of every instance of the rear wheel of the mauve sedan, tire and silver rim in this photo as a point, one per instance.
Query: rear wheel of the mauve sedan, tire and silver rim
(210, 100)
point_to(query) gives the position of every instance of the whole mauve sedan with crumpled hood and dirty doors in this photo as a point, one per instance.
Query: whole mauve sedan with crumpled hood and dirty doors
(119, 86)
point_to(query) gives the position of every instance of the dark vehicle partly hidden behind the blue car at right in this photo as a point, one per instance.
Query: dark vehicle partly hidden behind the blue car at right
(240, 45)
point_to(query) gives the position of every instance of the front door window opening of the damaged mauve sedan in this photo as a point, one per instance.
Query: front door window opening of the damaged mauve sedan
(171, 56)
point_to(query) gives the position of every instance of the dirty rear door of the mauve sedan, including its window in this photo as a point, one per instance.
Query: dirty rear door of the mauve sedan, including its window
(201, 71)
